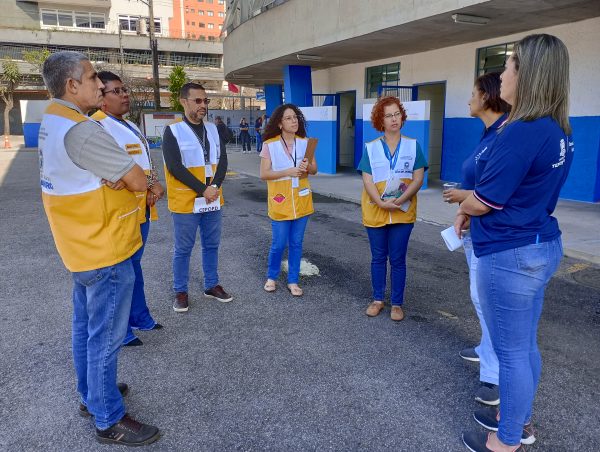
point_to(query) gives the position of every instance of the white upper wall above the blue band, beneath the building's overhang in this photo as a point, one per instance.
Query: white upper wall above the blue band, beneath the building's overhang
(456, 65)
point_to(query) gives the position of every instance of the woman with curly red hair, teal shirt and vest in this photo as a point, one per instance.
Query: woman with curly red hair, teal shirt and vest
(393, 168)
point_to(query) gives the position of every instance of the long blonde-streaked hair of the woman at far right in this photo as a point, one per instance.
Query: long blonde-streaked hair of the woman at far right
(542, 65)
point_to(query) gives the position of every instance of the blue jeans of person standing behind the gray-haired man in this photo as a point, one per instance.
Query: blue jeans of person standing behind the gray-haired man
(140, 317)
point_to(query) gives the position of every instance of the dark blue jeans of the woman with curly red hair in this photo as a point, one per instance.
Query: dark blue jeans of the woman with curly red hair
(389, 241)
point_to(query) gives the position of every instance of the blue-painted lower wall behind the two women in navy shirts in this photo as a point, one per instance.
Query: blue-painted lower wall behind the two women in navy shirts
(461, 135)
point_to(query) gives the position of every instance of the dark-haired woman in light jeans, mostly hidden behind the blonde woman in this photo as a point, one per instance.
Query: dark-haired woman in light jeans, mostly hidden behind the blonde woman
(487, 105)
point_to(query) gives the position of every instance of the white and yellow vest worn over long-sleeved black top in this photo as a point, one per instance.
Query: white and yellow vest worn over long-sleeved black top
(180, 196)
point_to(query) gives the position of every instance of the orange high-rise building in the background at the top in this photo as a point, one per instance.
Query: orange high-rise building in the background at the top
(198, 19)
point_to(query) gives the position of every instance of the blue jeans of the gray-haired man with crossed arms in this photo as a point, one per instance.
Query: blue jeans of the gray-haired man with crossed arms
(101, 305)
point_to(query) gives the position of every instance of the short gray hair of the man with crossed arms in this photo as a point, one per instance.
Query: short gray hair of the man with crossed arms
(59, 67)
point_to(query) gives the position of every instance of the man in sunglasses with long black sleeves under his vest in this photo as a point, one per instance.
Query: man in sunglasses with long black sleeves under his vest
(195, 167)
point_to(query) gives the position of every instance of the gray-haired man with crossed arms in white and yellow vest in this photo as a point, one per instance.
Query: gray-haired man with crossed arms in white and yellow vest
(87, 185)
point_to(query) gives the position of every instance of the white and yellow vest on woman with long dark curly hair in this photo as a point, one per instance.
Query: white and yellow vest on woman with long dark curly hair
(285, 201)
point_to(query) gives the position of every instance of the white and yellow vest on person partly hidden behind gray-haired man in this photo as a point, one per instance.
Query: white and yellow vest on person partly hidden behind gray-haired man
(137, 147)
